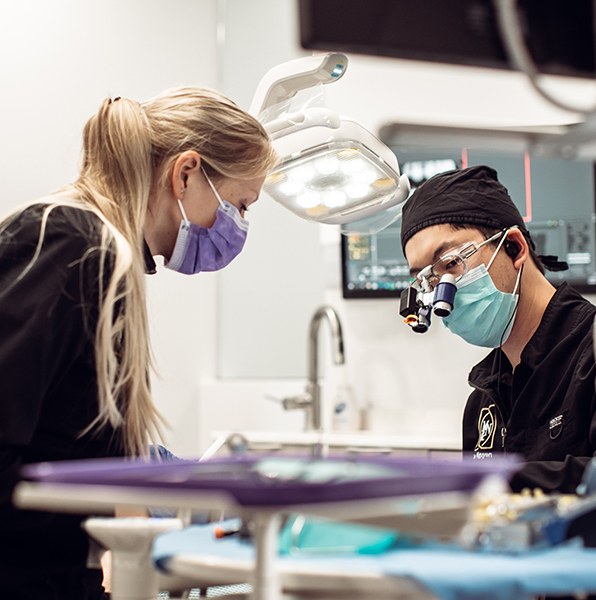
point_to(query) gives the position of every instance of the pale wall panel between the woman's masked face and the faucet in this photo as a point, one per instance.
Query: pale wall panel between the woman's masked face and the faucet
(280, 266)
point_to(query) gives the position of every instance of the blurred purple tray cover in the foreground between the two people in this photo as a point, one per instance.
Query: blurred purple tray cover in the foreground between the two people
(247, 480)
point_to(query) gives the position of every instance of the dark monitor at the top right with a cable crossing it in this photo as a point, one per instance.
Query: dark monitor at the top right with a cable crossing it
(561, 41)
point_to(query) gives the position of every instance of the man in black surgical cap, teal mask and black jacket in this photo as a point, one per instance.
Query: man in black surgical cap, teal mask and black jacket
(533, 395)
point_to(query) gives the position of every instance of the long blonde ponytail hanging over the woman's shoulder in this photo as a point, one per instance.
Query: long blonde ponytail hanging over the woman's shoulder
(116, 179)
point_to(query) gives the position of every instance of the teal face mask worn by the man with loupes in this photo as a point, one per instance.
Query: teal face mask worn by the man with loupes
(482, 315)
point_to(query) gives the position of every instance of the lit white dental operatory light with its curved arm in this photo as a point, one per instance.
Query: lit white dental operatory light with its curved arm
(331, 169)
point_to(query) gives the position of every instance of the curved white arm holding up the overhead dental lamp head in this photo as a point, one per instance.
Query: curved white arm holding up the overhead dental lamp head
(282, 82)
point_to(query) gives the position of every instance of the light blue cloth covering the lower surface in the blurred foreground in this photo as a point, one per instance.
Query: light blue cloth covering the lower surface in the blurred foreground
(451, 573)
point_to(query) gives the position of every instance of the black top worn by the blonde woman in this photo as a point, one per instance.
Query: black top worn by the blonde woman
(48, 390)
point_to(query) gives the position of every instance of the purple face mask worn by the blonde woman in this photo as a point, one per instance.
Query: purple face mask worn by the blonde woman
(200, 248)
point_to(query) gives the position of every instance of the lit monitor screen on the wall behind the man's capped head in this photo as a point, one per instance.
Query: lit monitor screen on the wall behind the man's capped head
(555, 196)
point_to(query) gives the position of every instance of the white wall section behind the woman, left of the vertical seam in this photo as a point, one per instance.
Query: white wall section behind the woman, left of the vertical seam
(58, 60)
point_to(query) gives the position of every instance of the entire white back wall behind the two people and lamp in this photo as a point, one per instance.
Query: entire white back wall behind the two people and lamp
(59, 59)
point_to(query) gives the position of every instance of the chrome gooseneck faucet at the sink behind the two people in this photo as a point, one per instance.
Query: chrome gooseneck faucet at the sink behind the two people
(310, 400)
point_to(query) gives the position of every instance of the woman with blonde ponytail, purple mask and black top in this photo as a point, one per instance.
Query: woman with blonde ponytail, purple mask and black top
(172, 177)
